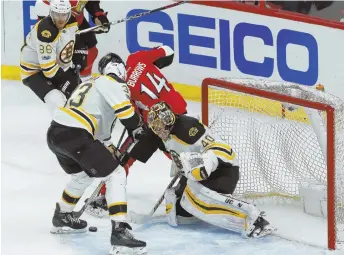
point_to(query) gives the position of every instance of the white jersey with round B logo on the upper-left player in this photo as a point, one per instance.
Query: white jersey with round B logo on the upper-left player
(47, 48)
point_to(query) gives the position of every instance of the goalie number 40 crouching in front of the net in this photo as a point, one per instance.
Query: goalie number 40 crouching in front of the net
(211, 171)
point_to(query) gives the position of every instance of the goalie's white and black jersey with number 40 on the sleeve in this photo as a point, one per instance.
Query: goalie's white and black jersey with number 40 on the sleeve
(189, 135)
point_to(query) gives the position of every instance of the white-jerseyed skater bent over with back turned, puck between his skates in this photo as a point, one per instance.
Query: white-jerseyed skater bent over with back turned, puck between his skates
(77, 137)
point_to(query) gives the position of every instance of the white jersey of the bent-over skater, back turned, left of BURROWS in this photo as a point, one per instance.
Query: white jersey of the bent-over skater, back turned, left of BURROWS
(94, 105)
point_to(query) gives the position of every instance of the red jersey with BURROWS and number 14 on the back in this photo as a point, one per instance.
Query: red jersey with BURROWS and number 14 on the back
(148, 85)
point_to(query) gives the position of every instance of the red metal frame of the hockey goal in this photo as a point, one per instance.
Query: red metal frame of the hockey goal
(237, 86)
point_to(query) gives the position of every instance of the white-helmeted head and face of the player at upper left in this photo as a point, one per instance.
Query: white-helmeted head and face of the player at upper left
(60, 12)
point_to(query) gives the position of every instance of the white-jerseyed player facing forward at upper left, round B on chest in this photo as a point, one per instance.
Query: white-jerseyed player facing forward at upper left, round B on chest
(46, 57)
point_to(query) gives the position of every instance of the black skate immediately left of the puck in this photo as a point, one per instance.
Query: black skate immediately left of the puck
(67, 223)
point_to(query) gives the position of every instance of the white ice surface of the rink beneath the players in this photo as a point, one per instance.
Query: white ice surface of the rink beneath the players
(32, 182)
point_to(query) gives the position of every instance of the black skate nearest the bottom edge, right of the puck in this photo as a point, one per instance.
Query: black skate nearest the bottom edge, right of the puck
(123, 242)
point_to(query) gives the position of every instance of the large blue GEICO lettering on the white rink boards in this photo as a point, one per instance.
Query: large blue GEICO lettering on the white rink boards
(226, 45)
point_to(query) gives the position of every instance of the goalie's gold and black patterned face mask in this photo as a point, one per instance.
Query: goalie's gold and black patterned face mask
(161, 119)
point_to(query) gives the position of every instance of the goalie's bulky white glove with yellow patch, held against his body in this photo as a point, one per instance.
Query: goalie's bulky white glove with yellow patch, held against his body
(198, 166)
